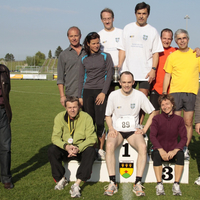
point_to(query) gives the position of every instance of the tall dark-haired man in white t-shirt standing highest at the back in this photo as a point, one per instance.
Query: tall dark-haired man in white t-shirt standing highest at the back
(140, 46)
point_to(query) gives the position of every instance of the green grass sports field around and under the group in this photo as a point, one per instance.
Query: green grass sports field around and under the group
(34, 105)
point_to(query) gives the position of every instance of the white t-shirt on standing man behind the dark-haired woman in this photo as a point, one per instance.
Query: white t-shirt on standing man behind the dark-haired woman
(109, 42)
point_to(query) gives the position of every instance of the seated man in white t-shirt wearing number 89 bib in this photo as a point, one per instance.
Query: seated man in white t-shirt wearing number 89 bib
(122, 117)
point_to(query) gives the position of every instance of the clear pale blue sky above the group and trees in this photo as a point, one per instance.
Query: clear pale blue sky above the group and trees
(41, 25)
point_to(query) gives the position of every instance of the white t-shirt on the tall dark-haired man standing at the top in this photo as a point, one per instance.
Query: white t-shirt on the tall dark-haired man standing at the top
(140, 43)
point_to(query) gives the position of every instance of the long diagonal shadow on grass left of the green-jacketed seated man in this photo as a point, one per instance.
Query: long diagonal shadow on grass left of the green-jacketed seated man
(37, 161)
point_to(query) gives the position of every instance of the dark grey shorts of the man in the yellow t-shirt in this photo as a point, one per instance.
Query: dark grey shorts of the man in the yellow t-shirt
(184, 101)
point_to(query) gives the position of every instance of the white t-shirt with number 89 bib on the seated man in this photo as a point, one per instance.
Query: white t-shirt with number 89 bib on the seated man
(125, 109)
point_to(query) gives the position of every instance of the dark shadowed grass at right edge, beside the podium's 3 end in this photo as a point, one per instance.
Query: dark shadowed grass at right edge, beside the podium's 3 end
(194, 148)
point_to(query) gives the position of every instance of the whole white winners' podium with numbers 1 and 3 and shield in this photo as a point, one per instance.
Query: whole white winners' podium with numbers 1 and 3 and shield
(126, 158)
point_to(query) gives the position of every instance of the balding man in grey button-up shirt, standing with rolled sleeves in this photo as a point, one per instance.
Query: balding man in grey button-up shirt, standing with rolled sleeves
(68, 65)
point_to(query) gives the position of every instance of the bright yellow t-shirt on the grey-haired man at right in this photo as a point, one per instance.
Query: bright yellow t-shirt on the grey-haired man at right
(184, 68)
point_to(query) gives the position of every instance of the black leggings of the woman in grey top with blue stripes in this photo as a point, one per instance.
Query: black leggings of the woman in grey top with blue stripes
(97, 112)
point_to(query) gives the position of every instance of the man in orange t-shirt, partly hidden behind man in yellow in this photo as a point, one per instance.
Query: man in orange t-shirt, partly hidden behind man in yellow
(166, 38)
